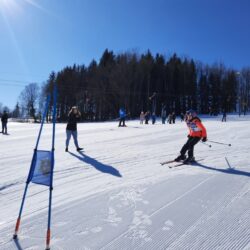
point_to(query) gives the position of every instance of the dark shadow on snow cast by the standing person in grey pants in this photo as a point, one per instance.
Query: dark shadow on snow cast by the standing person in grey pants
(97, 165)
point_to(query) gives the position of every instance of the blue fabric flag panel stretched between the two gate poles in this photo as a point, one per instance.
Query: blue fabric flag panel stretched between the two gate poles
(41, 169)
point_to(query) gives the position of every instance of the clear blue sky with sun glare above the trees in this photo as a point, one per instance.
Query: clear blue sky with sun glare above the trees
(38, 36)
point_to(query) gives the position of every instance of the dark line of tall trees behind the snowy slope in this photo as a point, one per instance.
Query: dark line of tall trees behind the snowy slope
(129, 79)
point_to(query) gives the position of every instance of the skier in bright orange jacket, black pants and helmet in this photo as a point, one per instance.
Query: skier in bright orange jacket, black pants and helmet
(196, 132)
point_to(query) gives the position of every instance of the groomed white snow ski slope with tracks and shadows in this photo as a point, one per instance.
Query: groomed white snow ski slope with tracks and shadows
(116, 195)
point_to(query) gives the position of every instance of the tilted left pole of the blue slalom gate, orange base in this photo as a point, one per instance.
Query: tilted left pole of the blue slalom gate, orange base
(18, 222)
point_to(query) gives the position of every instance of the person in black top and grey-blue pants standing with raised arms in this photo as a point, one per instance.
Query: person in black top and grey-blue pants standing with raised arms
(71, 129)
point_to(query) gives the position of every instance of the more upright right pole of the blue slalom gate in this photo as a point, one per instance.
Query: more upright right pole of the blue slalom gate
(52, 168)
